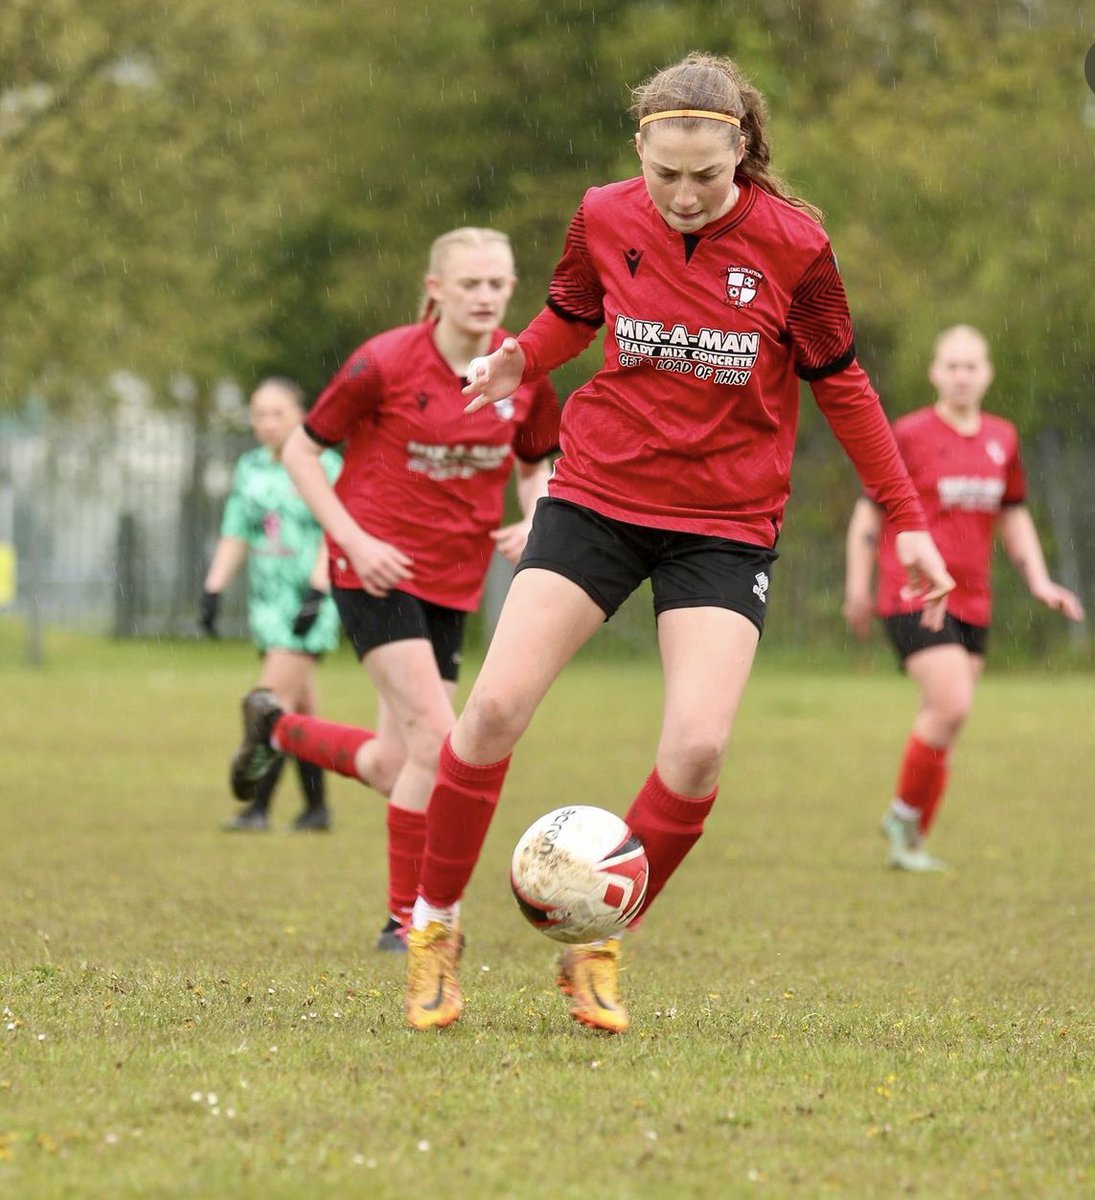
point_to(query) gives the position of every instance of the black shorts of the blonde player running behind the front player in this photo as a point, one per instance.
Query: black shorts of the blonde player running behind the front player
(372, 622)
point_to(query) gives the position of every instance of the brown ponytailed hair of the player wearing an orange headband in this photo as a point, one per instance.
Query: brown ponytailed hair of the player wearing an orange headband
(711, 85)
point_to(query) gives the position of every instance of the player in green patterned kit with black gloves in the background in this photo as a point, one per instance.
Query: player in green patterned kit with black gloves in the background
(292, 620)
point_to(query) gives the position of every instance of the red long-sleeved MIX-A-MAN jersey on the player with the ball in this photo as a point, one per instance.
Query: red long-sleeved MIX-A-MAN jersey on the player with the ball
(691, 422)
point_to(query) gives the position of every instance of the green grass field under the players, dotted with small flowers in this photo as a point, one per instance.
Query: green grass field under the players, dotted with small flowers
(188, 1013)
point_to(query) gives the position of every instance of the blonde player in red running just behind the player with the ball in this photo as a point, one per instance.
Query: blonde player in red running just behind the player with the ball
(412, 524)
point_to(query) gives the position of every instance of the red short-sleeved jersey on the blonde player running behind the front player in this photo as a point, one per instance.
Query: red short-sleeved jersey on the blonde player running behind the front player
(420, 473)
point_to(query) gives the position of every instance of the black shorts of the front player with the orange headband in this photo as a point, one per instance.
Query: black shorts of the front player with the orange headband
(608, 560)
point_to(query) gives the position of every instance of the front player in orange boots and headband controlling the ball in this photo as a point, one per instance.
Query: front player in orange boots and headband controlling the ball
(719, 293)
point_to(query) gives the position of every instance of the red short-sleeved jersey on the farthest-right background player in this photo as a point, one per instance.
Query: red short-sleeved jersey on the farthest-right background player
(964, 482)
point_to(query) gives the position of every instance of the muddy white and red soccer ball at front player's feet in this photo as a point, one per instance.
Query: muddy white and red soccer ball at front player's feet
(579, 874)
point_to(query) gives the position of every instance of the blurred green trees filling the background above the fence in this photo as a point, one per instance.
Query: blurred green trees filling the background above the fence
(207, 190)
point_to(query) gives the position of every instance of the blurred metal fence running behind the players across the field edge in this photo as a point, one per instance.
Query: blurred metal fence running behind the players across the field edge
(110, 524)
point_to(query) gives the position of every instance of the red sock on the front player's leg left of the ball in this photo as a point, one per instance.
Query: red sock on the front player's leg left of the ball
(462, 806)
